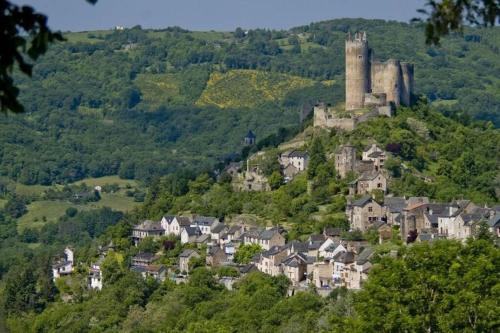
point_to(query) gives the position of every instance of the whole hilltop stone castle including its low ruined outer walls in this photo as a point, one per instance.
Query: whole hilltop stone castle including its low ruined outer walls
(372, 87)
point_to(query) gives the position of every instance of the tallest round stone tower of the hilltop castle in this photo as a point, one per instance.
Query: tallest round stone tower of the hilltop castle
(357, 71)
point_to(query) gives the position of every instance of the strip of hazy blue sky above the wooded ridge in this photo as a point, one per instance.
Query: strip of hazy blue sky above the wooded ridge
(220, 15)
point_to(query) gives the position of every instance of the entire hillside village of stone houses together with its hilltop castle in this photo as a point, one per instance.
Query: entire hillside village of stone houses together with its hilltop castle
(325, 260)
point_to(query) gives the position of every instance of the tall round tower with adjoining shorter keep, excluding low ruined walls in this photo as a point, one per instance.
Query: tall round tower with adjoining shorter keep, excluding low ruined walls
(374, 83)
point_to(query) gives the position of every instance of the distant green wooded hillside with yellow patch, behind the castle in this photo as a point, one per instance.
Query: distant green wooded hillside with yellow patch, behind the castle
(141, 103)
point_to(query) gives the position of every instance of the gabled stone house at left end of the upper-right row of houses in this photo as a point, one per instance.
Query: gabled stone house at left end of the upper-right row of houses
(363, 213)
